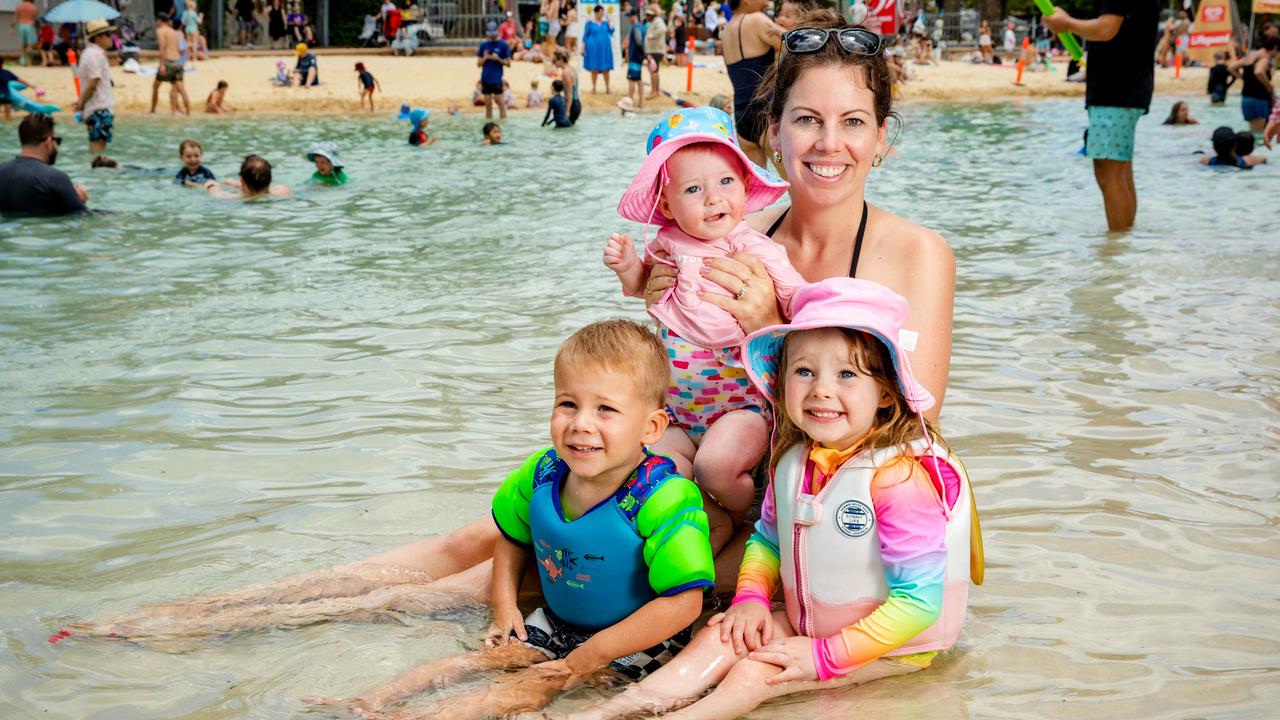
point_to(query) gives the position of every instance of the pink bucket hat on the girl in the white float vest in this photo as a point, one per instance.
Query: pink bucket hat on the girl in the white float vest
(840, 303)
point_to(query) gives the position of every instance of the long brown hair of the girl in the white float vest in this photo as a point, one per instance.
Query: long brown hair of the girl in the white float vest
(897, 425)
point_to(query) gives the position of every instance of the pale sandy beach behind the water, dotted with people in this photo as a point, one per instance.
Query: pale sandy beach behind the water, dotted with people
(440, 81)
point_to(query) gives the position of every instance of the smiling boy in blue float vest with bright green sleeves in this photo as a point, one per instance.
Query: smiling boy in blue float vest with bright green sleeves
(619, 539)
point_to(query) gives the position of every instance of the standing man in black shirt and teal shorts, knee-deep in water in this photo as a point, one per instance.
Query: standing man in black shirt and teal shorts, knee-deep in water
(1117, 93)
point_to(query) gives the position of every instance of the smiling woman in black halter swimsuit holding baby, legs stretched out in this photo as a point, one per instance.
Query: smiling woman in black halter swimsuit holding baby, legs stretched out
(826, 112)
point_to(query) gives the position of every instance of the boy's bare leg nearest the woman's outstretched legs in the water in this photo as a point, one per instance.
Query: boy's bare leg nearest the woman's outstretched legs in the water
(438, 673)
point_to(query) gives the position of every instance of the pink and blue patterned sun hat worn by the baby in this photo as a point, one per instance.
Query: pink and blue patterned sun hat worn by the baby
(676, 130)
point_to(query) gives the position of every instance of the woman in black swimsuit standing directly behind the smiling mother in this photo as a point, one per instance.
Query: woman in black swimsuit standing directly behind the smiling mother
(751, 42)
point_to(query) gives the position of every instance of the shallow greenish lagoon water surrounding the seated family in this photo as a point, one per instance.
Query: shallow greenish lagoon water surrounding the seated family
(199, 395)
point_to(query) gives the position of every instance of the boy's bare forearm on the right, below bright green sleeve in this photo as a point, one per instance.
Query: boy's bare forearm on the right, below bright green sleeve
(656, 622)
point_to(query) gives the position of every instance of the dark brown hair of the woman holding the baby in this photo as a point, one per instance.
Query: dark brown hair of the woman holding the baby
(787, 71)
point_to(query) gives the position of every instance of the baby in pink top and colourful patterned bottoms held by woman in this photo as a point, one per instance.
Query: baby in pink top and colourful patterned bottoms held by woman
(697, 185)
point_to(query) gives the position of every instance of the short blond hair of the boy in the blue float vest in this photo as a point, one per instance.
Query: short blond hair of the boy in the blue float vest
(624, 348)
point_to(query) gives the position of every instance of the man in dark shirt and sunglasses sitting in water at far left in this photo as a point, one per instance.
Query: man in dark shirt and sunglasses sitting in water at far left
(29, 184)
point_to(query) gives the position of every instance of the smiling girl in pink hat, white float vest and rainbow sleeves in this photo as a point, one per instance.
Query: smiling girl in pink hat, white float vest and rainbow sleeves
(866, 525)
